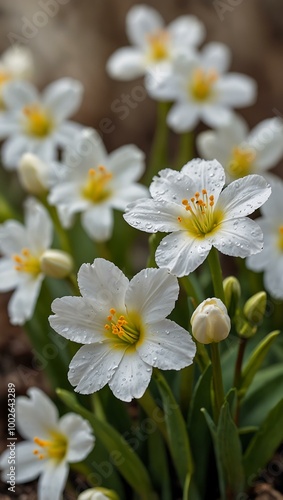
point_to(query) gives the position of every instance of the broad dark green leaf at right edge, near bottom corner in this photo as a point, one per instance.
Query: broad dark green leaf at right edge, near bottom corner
(264, 442)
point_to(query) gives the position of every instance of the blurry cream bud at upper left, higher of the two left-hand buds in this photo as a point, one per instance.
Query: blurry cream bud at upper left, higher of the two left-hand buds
(33, 174)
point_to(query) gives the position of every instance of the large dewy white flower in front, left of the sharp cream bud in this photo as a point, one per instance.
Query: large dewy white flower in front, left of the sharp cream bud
(122, 324)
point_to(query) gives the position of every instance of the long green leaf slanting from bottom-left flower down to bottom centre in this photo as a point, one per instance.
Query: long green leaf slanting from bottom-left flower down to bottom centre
(126, 460)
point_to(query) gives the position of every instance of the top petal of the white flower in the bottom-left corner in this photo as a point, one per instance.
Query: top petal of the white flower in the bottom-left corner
(37, 414)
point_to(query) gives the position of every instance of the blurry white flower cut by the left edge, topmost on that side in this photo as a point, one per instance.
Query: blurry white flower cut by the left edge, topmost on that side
(16, 63)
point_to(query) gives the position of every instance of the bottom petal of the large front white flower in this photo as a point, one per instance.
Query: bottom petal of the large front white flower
(131, 377)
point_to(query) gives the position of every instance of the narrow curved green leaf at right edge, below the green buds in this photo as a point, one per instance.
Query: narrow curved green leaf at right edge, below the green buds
(255, 360)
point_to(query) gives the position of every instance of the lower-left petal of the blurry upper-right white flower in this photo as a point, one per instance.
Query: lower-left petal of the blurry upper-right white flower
(183, 117)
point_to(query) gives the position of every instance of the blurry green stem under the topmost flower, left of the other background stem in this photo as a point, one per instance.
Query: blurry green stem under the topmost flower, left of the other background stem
(159, 148)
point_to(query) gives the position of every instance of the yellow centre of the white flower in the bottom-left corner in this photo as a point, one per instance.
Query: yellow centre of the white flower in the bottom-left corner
(55, 447)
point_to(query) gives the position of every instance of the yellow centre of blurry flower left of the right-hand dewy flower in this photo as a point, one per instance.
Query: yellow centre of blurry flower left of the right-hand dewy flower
(95, 188)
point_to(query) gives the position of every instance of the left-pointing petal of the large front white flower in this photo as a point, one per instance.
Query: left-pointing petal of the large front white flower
(76, 319)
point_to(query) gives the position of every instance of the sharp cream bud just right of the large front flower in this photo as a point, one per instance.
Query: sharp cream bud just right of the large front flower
(210, 321)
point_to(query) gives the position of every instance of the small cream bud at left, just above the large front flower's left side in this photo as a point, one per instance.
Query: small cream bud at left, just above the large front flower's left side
(56, 263)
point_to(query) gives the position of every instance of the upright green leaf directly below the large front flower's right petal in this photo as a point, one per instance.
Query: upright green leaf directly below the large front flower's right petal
(177, 433)
